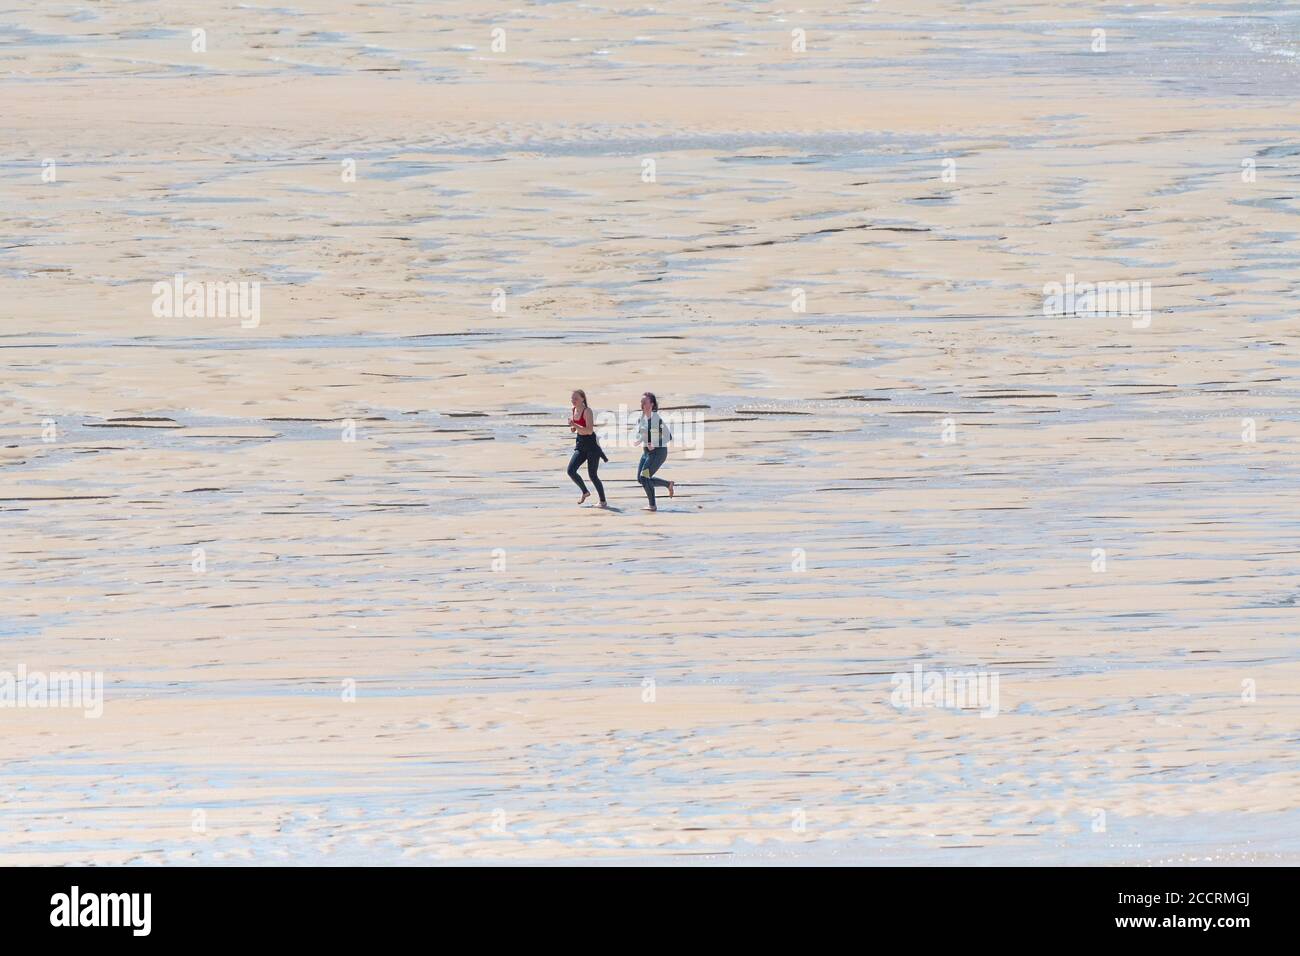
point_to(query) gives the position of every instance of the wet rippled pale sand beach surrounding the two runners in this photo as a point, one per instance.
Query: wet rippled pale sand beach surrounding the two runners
(330, 564)
